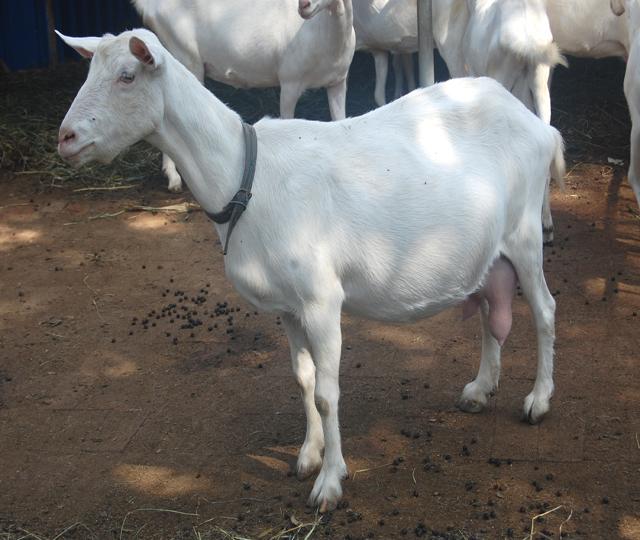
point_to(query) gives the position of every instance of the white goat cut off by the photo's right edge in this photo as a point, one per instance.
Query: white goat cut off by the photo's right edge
(632, 85)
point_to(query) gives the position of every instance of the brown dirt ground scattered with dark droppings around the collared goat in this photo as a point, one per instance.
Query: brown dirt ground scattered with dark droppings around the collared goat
(117, 422)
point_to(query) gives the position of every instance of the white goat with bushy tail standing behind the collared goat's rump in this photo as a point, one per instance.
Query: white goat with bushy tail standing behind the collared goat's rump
(508, 40)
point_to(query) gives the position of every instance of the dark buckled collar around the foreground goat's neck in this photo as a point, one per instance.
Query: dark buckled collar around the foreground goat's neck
(233, 210)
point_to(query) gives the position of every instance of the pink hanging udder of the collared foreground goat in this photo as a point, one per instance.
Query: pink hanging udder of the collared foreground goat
(499, 290)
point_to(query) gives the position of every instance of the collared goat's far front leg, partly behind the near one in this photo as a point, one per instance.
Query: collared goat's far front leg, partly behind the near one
(310, 456)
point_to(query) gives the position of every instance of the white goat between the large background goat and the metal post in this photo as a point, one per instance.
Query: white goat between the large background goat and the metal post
(384, 26)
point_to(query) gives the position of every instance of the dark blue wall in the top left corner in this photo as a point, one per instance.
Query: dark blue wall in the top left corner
(23, 27)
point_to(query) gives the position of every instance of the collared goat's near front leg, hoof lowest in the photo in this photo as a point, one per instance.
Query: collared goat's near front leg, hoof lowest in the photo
(322, 326)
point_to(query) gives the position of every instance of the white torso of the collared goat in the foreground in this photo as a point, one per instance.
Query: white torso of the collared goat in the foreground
(348, 194)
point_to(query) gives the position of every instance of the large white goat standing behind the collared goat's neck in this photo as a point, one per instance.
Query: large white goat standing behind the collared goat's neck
(259, 43)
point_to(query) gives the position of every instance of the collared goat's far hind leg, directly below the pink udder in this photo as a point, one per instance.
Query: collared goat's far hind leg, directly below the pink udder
(475, 395)
